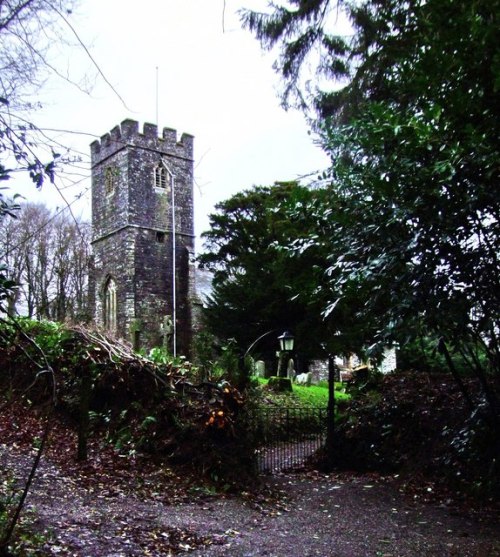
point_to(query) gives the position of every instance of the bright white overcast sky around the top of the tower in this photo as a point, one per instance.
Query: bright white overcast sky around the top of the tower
(213, 82)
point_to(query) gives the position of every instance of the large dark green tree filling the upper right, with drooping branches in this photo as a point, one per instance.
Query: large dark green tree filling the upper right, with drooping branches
(413, 135)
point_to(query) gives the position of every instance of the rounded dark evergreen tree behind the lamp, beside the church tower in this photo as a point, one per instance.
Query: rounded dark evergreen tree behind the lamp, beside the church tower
(269, 253)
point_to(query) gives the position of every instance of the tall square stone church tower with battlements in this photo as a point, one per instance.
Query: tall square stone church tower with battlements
(142, 279)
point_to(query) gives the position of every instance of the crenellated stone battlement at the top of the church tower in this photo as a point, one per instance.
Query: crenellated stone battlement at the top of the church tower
(127, 134)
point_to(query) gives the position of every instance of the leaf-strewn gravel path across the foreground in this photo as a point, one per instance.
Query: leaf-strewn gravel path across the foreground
(292, 515)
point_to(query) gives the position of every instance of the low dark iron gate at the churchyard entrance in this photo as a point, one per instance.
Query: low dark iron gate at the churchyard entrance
(286, 437)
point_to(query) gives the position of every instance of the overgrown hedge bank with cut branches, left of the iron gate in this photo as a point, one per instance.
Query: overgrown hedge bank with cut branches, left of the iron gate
(135, 403)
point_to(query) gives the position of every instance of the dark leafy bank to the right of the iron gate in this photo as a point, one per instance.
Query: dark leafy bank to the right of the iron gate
(418, 424)
